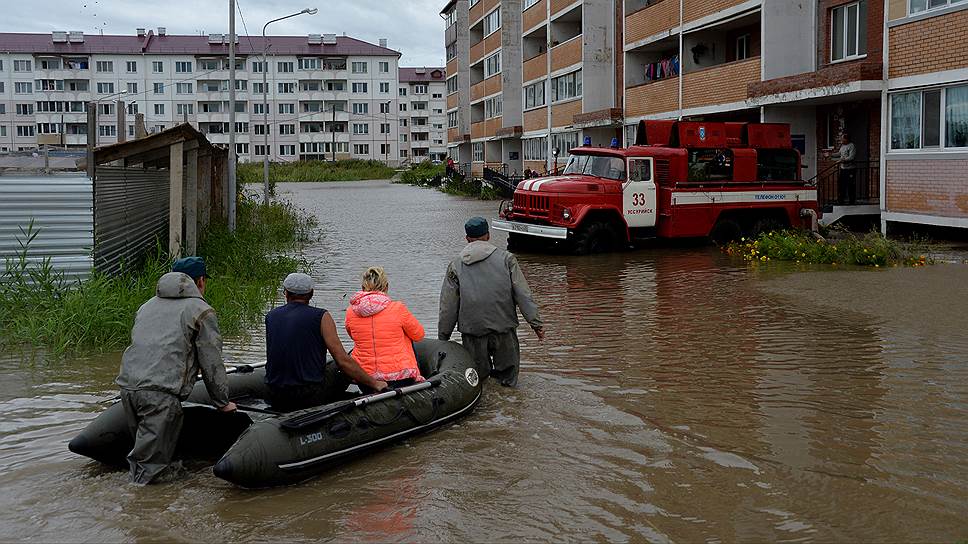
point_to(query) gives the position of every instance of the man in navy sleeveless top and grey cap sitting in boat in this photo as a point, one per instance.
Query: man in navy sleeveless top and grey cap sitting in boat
(297, 338)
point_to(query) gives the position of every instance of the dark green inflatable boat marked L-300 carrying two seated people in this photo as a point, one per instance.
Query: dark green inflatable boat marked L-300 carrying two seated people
(257, 447)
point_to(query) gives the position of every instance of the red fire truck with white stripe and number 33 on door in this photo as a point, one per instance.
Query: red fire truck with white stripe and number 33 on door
(680, 180)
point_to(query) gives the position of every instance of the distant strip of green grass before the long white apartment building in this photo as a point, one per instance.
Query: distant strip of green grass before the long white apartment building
(299, 171)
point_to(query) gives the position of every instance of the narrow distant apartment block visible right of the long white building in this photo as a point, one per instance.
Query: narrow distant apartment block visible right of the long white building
(422, 104)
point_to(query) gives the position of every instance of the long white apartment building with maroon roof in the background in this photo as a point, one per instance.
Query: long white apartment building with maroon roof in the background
(322, 95)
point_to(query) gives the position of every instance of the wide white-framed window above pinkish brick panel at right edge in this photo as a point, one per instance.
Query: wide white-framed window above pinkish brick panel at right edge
(933, 118)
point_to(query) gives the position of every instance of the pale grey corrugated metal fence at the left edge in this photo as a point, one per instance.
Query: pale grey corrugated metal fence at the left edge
(60, 207)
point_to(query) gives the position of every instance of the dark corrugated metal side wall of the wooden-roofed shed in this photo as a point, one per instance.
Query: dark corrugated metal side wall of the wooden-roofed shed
(130, 215)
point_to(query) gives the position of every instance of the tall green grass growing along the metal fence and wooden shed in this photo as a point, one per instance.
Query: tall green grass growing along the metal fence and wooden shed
(39, 307)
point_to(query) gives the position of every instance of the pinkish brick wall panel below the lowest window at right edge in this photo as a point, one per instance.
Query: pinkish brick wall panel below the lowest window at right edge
(934, 187)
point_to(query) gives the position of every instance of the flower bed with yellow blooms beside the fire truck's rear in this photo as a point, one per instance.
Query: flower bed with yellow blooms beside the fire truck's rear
(872, 249)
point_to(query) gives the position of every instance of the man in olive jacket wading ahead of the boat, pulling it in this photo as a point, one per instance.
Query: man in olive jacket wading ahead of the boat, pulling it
(482, 290)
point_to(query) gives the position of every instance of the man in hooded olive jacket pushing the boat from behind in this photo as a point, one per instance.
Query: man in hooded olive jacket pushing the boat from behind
(175, 335)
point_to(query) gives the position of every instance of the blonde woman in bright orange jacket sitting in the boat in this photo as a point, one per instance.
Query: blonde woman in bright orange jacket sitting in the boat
(384, 331)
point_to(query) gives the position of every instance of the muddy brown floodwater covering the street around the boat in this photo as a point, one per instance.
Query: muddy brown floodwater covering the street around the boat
(679, 396)
